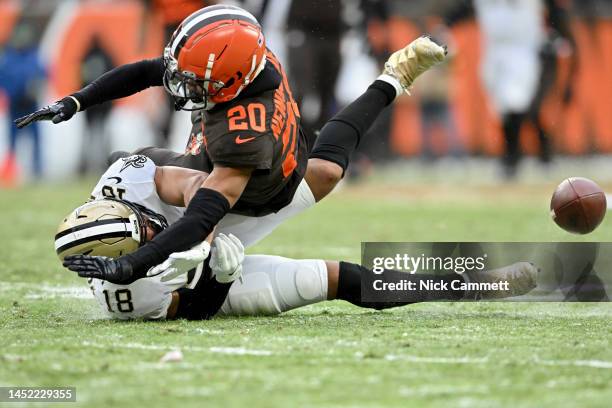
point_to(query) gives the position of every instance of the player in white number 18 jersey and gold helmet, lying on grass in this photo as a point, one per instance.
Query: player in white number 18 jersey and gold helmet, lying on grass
(134, 200)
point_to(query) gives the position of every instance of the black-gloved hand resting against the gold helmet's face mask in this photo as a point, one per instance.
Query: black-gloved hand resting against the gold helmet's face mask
(117, 271)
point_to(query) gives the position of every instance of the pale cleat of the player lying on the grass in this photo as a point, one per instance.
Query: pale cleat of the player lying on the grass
(520, 277)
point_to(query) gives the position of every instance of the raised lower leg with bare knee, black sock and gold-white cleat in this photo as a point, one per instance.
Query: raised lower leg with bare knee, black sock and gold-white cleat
(341, 135)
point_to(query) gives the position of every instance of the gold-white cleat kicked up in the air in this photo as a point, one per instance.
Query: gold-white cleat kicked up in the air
(411, 61)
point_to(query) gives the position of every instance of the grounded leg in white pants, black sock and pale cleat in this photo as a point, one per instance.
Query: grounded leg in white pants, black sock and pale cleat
(273, 284)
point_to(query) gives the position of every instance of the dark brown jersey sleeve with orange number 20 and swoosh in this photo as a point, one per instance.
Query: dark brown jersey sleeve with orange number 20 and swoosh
(241, 135)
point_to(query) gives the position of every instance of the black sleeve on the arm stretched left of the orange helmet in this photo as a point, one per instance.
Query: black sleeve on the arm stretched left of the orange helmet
(122, 81)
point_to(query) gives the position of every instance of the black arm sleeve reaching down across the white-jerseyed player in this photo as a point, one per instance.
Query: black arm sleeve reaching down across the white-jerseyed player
(205, 210)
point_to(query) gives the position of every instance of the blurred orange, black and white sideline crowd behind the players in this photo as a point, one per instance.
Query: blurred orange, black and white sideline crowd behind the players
(523, 76)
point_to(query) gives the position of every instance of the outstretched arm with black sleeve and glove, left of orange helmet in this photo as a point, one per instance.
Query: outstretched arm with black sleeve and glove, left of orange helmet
(119, 82)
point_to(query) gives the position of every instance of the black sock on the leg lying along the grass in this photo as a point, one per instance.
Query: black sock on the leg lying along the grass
(350, 281)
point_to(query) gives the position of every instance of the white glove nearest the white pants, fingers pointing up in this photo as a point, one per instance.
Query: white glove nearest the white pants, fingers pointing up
(226, 258)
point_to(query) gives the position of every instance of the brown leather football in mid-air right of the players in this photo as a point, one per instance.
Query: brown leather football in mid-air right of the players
(578, 205)
